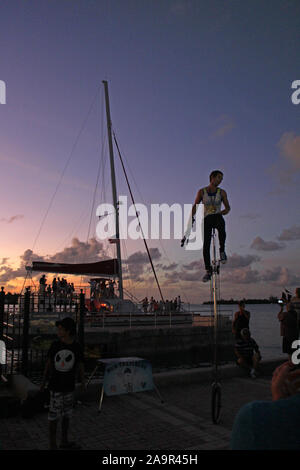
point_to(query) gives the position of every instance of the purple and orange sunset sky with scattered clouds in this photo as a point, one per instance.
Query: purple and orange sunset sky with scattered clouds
(195, 85)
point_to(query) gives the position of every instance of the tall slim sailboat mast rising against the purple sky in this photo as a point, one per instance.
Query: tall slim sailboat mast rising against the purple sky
(114, 188)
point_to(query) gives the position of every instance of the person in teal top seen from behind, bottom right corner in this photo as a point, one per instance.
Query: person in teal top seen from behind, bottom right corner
(271, 425)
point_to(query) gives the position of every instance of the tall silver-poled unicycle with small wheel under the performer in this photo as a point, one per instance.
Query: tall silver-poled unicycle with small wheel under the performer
(216, 386)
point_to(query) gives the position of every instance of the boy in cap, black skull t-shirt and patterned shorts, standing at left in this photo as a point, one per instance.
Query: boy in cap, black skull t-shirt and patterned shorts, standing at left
(65, 358)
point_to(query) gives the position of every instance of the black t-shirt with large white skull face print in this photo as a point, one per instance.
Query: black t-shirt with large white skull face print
(64, 361)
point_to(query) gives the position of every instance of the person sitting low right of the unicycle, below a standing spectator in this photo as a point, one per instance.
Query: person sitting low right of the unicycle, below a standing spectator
(247, 352)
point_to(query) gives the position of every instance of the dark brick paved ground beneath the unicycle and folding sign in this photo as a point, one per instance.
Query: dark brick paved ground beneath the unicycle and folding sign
(141, 421)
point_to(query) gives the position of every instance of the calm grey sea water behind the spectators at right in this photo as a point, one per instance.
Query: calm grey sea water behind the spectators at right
(264, 326)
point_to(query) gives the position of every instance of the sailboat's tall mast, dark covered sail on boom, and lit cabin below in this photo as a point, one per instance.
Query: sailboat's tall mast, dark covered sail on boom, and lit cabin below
(101, 272)
